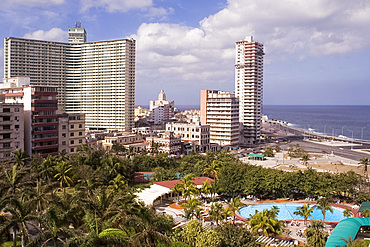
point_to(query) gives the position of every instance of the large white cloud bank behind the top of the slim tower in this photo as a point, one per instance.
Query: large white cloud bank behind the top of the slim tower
(286, 27)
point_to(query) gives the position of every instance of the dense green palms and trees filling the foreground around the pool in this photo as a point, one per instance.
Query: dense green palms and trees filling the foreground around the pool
(87, 199)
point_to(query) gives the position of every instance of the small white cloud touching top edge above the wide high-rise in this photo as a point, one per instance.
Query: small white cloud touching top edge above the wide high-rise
(116, 5)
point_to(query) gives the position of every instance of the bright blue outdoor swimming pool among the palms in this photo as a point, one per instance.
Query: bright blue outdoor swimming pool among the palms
(286, 212)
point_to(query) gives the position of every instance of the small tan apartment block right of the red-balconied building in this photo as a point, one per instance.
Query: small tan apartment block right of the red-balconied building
(71, 132)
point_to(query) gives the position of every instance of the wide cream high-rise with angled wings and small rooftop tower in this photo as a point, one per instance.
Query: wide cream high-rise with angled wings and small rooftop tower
(95, 78)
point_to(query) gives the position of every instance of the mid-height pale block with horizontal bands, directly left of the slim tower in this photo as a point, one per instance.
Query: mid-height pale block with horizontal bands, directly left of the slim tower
(220, 110)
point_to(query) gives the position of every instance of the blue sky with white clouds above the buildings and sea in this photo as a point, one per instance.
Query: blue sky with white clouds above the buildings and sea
(317, 52)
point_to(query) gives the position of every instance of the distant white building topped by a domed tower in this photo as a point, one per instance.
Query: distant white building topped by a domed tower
(162, 110)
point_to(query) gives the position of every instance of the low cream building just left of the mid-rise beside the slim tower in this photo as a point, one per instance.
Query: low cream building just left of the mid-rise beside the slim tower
(195, 134)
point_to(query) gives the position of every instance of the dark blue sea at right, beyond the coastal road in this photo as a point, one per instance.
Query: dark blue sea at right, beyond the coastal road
(349, 121)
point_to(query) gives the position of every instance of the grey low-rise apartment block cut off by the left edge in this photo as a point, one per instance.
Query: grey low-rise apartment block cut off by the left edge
(11, 129)
